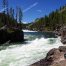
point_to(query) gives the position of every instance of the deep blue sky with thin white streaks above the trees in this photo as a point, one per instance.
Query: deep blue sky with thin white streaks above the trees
(33, 9)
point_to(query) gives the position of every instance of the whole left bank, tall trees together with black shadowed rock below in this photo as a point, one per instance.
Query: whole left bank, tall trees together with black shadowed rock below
(10, 24)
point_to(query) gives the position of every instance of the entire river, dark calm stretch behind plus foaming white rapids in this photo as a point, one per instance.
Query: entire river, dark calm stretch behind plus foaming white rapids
(35, 48)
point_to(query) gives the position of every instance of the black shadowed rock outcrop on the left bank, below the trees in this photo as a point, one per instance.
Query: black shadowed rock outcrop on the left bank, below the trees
(15, 36)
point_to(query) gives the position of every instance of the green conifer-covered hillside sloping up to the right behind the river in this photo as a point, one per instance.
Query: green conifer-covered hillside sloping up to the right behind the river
(54, 21)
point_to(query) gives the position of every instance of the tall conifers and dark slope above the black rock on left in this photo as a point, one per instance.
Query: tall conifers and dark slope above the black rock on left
(9, 17)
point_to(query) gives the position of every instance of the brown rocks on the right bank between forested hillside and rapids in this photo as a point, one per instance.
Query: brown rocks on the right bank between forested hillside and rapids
(61, 32)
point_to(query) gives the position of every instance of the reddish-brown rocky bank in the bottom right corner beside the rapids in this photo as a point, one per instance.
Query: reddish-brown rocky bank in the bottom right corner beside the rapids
(55, 57)
